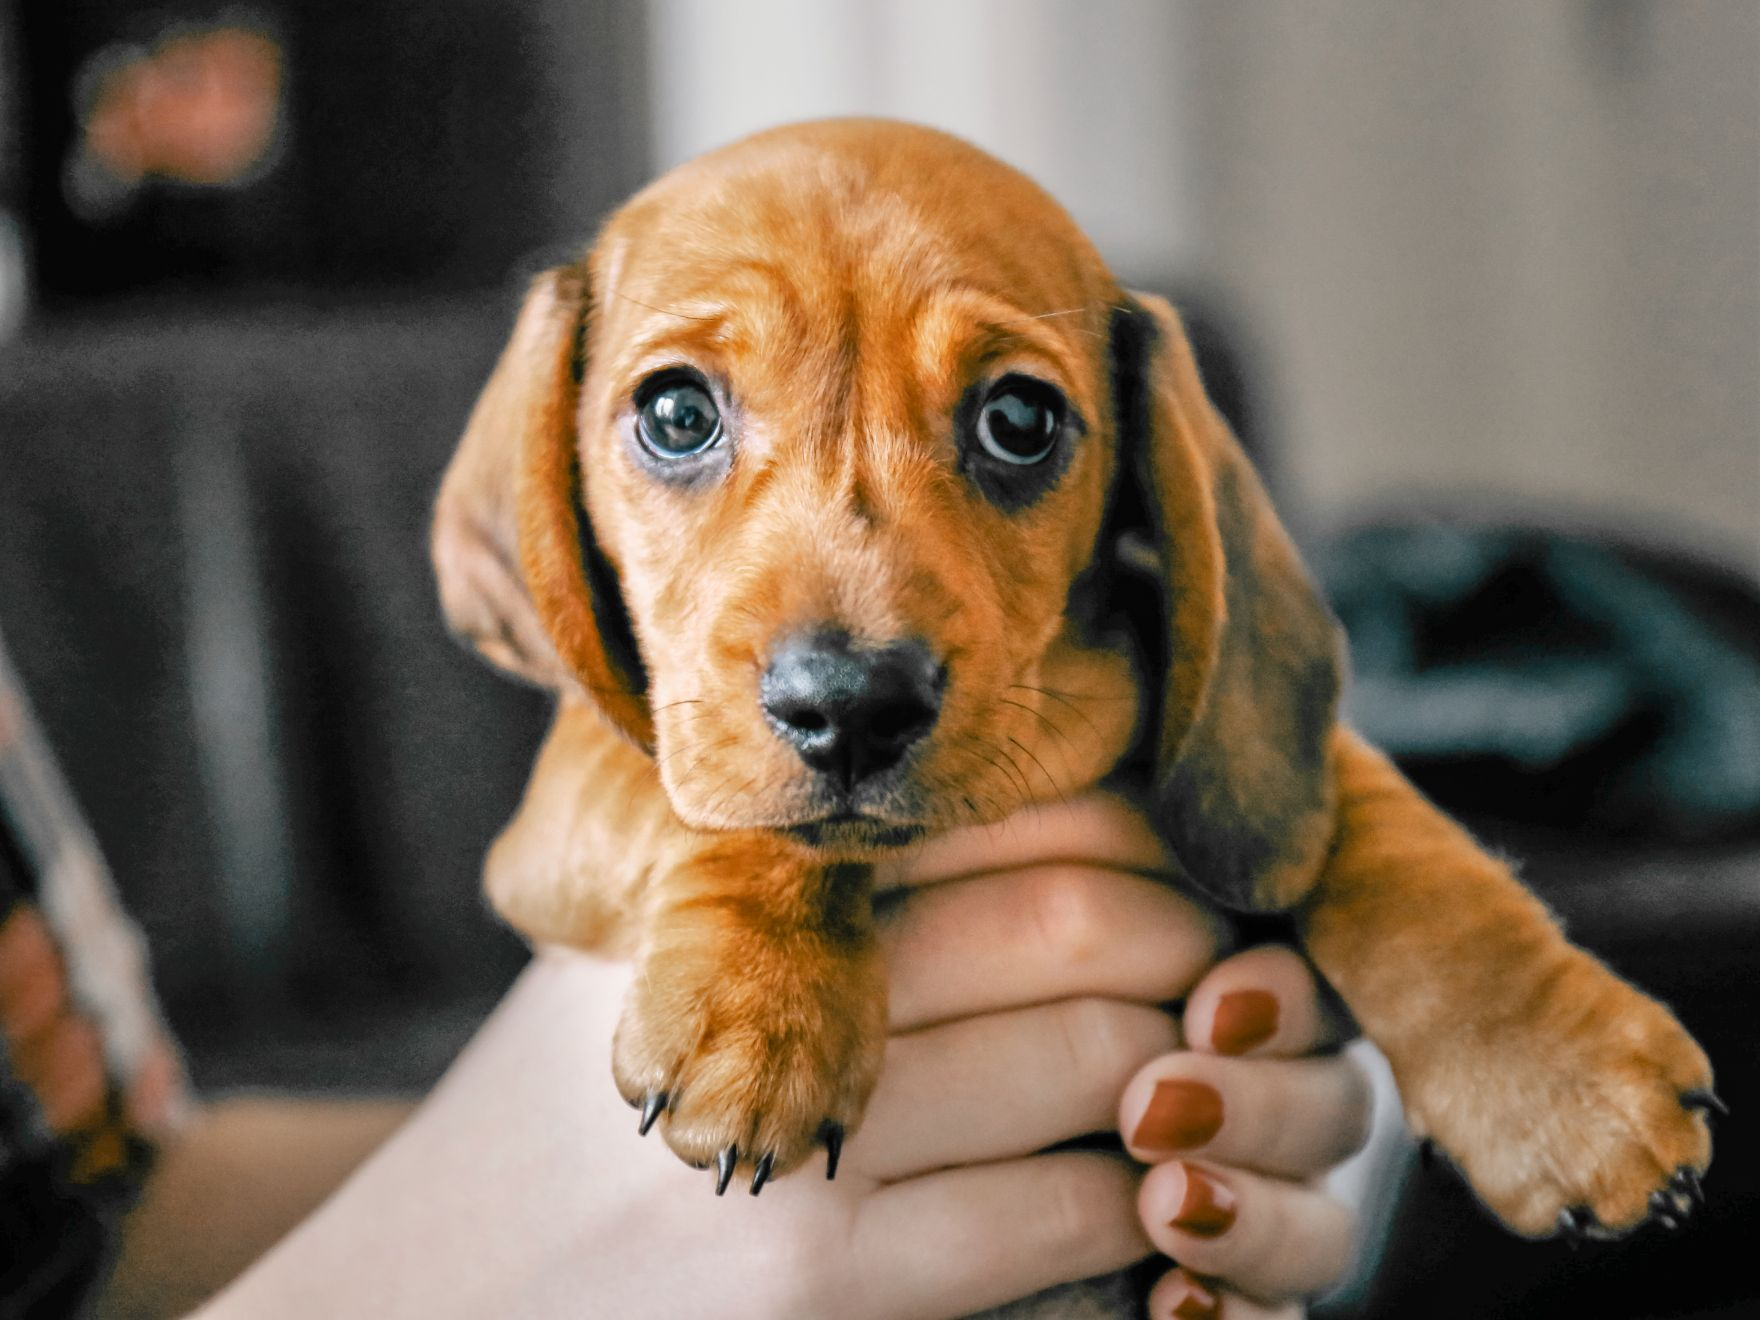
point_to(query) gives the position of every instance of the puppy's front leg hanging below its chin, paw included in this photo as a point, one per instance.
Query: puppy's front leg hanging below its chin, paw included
(758, 1018)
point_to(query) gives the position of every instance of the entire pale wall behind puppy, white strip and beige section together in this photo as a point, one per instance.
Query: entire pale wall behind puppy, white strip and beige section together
(1506, 247)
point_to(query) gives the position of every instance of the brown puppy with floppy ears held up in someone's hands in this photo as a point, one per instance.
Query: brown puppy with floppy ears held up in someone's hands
(832, 492)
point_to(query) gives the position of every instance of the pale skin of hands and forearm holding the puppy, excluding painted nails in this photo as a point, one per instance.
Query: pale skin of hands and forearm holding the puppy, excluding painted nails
(1029, 964)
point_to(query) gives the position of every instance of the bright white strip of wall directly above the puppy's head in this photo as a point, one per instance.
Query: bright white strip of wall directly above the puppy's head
(1087, 96)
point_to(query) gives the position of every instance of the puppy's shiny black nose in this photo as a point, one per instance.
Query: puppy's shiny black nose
(851, 712)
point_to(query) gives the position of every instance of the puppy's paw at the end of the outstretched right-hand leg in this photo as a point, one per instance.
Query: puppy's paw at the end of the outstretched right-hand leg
(1587, 1117)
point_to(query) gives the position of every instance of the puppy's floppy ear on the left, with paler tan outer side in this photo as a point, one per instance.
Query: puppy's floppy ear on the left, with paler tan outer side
(522, 578)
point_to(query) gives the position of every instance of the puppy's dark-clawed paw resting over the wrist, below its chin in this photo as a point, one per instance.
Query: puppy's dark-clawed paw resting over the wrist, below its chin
(754, 1059)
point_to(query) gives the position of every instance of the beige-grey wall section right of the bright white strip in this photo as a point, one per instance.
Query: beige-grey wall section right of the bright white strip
(1504, 247)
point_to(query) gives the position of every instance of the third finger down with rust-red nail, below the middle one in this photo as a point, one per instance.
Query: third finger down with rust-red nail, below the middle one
(1266, 1238)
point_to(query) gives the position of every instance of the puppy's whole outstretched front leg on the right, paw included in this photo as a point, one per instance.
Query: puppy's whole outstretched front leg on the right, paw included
(1562, 1092)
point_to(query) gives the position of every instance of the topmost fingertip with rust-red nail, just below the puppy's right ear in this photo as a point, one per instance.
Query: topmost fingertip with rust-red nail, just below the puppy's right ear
(1263, 1002)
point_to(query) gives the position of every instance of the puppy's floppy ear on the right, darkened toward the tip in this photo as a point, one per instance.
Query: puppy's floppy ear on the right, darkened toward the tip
(1254, 661)
